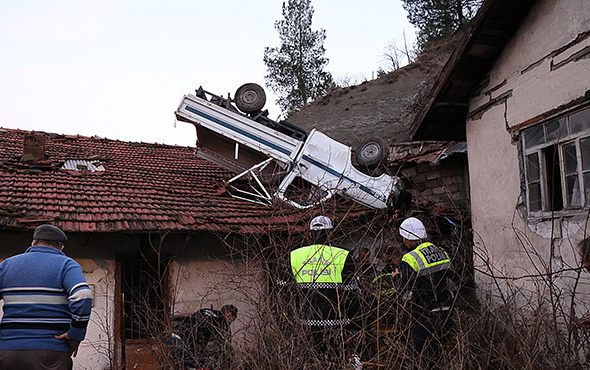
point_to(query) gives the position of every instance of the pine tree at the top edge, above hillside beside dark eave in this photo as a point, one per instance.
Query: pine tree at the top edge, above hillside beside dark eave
(438, 19)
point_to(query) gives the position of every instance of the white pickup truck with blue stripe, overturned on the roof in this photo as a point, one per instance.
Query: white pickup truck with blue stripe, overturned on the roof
(279, 161)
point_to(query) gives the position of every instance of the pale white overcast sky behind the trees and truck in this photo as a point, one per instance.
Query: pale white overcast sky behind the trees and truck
(119, 68)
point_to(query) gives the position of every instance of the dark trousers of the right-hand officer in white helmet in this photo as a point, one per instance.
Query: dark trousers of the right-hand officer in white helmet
(430, 330)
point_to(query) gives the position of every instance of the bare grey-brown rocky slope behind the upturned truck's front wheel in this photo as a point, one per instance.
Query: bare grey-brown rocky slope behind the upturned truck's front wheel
(383, 107)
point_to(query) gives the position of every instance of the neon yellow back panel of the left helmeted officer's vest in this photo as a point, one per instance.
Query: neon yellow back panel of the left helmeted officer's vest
(318, 264)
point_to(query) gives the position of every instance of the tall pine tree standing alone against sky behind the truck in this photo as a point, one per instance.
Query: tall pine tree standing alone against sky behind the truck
(296, 69)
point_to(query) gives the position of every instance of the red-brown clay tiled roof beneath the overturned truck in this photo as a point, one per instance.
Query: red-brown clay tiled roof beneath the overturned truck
(143, 187)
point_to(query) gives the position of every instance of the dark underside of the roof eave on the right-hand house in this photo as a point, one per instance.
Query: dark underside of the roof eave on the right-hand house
(443, 115)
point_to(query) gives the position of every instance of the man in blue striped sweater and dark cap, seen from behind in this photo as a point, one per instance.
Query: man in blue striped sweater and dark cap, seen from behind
(47, 305)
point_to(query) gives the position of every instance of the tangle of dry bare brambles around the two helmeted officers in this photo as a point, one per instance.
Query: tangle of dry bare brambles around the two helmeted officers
(504, 326)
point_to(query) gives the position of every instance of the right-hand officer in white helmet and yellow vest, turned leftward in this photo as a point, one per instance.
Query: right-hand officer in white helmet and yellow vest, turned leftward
(424, 272)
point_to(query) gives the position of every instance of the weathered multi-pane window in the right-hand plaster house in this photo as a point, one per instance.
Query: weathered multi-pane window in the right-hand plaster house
(557, 163)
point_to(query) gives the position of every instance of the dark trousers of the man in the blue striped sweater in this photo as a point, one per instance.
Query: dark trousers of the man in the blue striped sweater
(35, 359)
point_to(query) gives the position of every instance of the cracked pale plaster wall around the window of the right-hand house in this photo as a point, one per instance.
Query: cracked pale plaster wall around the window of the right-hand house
(525, 84)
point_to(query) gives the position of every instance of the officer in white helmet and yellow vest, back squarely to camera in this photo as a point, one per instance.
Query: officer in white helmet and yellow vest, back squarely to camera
(325, 278)
